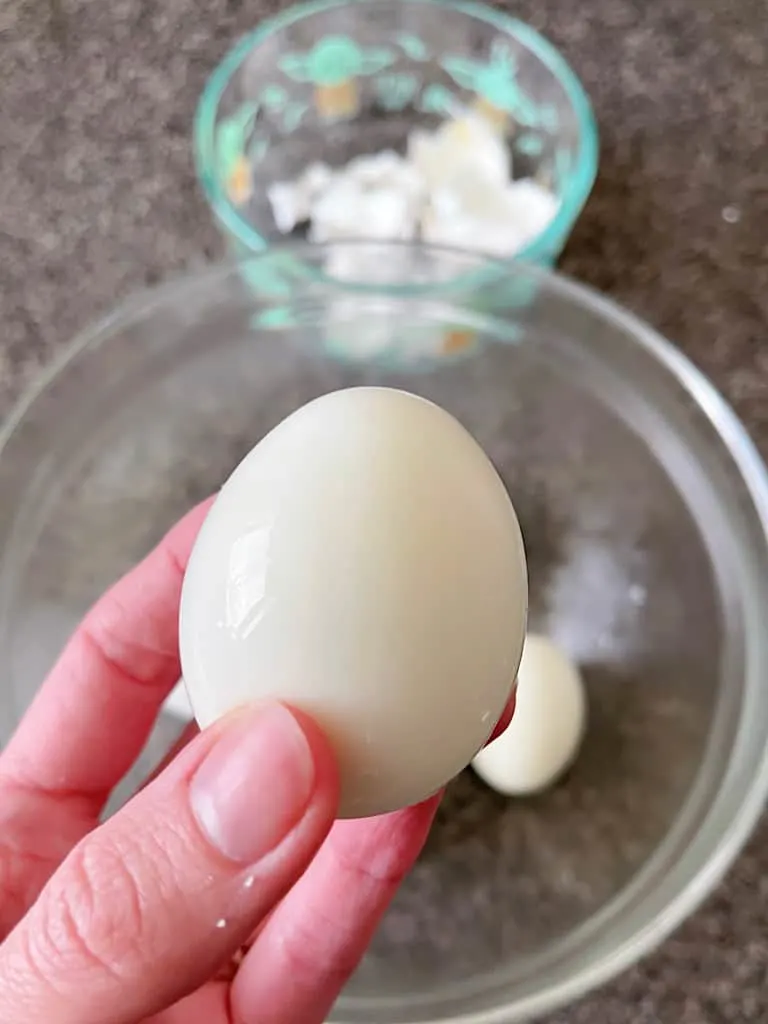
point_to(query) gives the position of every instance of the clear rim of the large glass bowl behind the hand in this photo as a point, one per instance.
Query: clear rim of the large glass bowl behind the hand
(728, 824)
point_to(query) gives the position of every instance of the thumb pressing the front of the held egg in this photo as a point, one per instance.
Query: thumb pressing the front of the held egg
(153, 903)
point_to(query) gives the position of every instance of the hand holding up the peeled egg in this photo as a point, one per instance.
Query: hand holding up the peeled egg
(232, 846)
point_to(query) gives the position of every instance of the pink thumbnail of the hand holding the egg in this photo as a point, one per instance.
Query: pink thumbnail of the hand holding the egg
(254, 785)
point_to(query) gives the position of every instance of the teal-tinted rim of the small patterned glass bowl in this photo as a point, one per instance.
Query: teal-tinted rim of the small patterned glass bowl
(580, 181)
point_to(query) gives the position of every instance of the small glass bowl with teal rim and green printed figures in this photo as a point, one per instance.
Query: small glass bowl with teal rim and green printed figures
(332, 80)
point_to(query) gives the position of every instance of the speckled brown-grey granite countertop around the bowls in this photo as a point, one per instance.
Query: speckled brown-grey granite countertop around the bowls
(98, 198)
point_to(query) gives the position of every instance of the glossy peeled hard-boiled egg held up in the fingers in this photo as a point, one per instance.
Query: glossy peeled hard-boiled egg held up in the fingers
(364, 564)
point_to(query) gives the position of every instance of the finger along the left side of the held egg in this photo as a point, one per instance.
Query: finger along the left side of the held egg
(93, 716)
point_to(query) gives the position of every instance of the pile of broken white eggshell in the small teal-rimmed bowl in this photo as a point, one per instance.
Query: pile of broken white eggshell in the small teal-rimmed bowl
(454, 188)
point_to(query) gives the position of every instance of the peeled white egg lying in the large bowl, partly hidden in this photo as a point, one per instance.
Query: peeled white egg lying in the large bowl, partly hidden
(547, 729)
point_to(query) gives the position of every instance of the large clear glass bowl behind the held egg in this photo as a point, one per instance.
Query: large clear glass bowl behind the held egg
(645, 509)
